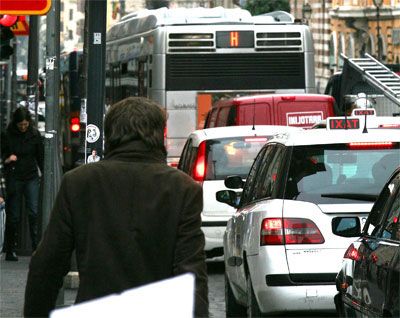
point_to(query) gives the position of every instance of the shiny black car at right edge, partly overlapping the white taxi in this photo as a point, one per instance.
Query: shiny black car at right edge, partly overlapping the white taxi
(369, 284)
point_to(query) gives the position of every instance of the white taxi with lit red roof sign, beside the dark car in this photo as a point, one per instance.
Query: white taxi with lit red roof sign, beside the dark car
(280, 252)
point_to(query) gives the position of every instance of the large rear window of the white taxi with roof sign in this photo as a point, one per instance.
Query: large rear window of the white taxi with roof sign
(337, 174)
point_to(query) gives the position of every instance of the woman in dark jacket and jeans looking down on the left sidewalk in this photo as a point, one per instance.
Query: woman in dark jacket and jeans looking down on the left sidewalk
(23, 155)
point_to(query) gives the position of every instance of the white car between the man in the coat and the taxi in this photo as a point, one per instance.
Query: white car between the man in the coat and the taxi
(209, 156)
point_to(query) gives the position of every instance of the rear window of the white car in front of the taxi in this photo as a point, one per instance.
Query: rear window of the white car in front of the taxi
(232, 156)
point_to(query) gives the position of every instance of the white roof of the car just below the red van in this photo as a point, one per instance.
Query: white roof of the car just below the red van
(238, 131)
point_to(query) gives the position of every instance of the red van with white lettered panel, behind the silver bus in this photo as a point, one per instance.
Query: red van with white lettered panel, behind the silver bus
(299, 110)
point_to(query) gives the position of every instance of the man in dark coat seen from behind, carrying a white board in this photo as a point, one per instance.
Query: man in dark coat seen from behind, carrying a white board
(131, 218)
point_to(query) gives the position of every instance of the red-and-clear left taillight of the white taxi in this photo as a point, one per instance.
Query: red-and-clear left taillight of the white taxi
(293, 231)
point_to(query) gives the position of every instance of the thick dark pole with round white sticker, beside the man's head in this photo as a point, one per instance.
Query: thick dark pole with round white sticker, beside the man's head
(95, 50)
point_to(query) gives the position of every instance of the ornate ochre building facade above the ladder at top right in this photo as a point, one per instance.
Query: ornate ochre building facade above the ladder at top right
(364, 26)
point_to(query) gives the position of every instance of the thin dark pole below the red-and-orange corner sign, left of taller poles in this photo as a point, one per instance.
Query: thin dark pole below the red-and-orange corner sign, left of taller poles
(33, 62)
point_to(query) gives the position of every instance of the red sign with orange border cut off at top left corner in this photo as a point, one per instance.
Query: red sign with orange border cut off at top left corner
(25, 7)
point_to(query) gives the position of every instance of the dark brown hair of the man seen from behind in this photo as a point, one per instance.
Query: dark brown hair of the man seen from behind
(134, 118)
